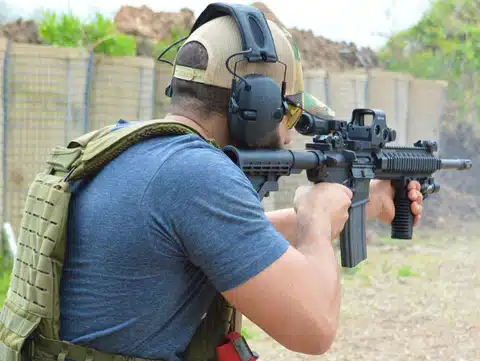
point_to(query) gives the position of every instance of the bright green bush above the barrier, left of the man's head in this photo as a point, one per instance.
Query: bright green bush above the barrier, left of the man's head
(67, 30)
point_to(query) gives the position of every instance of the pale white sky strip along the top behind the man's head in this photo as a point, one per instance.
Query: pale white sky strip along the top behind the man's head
(340, 20)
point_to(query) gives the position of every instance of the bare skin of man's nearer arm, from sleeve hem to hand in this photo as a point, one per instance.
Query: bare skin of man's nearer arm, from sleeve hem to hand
(304, 281)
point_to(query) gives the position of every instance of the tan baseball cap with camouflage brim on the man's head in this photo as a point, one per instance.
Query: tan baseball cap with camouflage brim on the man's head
(221, 38)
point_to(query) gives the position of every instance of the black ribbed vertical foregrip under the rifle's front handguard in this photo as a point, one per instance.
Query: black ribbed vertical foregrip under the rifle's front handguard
(402, 224)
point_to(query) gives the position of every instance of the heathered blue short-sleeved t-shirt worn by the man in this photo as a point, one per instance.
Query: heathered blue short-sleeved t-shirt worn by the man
(151, 238)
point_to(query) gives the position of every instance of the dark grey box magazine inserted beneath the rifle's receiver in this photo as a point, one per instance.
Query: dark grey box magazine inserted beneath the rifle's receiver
(353, 239)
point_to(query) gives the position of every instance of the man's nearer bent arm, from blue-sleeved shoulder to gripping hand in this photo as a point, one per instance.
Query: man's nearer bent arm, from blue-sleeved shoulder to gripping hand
(292, 293)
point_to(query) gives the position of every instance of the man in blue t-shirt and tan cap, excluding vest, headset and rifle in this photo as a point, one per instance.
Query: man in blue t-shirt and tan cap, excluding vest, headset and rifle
(172, 220)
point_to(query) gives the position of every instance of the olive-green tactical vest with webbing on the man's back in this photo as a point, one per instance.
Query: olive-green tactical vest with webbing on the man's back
(30, 316)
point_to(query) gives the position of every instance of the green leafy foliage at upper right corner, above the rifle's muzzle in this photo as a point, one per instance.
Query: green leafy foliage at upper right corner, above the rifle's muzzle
(444, 44)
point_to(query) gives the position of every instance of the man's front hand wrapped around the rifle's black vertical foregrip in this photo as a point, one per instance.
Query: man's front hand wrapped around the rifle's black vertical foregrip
(381, 204)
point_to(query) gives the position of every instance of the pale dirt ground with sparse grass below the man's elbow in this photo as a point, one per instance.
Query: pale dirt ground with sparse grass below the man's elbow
(416, 300)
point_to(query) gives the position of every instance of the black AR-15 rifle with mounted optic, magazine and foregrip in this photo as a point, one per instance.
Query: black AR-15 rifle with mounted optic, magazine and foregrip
(351, 153)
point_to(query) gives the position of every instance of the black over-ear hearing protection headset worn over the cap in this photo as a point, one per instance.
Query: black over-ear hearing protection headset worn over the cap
(257, 104)
